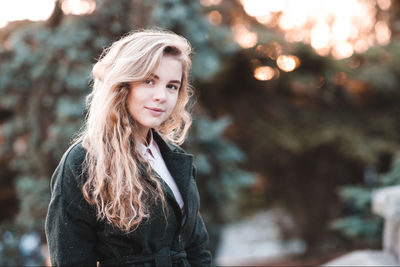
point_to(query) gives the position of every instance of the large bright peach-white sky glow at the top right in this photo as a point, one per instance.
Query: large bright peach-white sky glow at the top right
(339, 27)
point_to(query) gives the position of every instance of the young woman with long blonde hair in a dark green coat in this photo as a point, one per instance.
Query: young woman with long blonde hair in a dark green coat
(125, 193)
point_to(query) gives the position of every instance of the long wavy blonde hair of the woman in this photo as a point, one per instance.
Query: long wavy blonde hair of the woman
(120, 183)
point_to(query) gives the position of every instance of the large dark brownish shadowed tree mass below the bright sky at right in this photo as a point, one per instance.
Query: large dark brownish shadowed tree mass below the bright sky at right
(311, 130)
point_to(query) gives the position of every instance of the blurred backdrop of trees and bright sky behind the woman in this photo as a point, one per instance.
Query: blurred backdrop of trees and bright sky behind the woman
(297, 117)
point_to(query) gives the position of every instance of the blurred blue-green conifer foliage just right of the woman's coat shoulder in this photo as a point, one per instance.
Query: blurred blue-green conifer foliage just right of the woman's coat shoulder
(219, 175)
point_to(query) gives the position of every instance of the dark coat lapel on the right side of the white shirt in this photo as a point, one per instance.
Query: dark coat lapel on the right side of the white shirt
(179, 164)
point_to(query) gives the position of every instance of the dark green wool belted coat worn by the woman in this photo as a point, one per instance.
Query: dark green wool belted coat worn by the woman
(76, 237)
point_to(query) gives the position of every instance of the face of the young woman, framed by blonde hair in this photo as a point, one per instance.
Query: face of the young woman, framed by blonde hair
(152, 101)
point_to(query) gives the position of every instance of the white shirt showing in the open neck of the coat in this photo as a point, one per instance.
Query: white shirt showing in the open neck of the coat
(153, 155)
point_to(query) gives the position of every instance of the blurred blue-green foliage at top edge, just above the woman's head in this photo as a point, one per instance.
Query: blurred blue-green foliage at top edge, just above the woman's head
(209, 42)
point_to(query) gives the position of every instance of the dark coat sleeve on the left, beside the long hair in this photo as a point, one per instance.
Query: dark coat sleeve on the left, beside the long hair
(70, 222)
